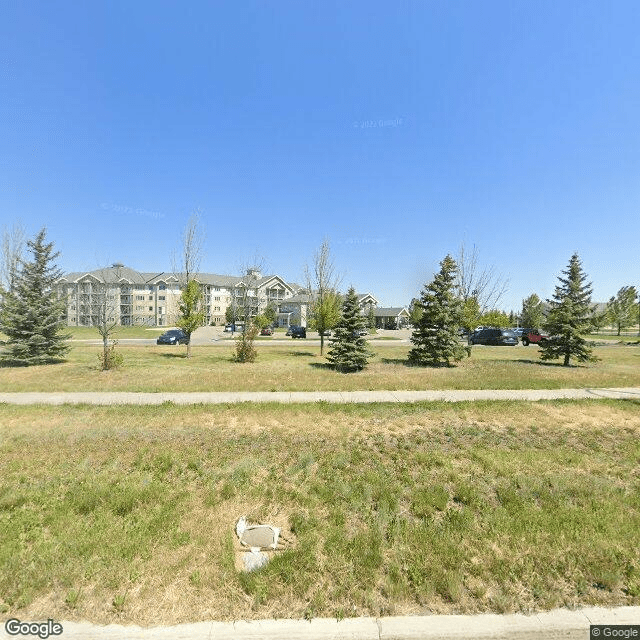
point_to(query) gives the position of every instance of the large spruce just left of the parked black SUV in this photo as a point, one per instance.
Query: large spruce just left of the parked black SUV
(435, 338)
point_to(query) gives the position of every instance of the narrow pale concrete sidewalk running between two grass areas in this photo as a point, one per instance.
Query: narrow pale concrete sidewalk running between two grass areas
(288, 397)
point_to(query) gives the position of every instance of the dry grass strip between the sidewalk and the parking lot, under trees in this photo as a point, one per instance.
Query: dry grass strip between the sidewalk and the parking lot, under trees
(299, 367)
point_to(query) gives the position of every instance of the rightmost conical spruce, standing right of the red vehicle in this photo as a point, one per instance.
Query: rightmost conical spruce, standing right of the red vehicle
(569, 317)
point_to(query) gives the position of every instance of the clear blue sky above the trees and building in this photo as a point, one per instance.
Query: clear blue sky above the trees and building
(396, 129)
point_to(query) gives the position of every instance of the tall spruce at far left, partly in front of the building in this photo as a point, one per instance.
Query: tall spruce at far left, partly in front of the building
(32, 311)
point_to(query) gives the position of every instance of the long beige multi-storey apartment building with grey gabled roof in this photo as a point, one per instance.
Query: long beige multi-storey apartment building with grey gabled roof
(129, 297)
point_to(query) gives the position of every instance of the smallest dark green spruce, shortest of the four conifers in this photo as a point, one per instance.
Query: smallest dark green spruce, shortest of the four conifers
(349, 351)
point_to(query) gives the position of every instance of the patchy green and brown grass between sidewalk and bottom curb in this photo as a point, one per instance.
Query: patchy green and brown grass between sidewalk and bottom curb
(126, 514)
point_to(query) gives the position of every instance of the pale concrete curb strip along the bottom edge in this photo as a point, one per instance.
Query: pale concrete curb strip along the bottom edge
(551, 625)
